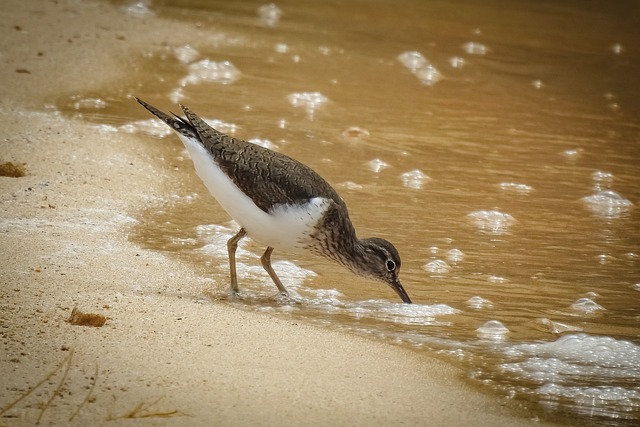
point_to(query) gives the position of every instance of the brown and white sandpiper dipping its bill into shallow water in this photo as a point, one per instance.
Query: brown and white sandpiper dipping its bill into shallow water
(279, 202)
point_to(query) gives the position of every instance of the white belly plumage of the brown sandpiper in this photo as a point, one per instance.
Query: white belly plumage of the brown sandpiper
(284, 227)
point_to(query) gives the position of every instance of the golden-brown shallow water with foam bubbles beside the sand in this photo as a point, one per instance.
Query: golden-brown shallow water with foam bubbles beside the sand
(496, 145)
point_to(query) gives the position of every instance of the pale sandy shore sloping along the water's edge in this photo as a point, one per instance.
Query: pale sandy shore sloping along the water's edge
(167, 354)
